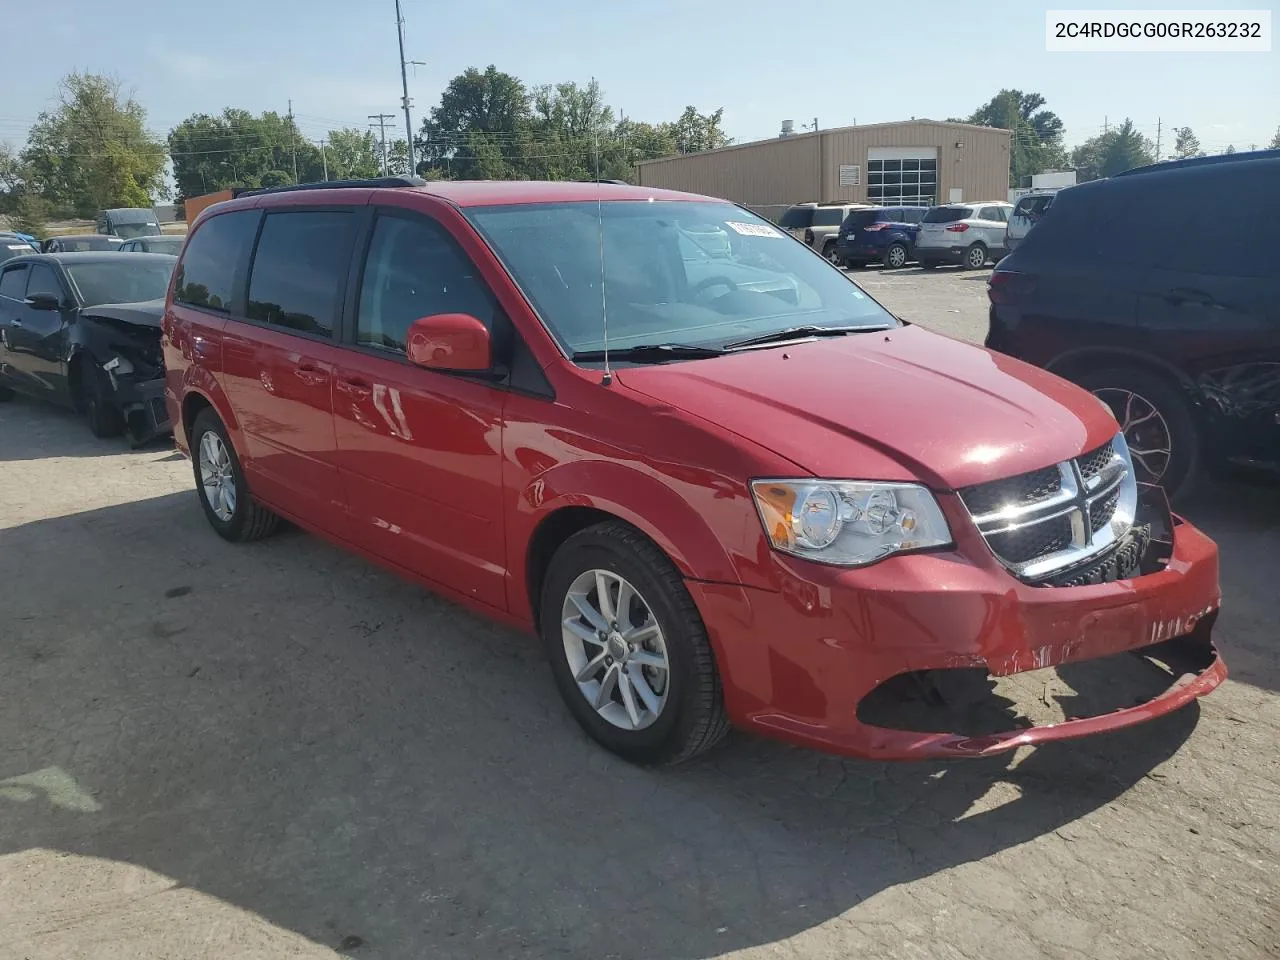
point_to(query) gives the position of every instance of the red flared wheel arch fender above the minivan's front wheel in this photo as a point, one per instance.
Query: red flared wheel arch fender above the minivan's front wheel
(650, 502)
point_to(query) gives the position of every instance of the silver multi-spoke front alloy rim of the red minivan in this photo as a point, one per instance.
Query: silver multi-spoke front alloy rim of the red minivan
(615, 650)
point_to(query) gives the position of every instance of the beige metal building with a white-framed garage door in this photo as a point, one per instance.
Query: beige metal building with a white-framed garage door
(915, 162)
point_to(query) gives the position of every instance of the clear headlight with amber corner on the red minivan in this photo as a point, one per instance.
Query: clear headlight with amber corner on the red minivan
(848, 523)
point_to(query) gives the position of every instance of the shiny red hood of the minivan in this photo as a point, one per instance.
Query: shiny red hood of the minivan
(899, 405)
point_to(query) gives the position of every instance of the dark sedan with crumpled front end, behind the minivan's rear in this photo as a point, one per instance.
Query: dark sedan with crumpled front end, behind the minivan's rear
(84, 331)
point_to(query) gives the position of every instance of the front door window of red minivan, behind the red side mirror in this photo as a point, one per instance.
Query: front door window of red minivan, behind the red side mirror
(415, 269)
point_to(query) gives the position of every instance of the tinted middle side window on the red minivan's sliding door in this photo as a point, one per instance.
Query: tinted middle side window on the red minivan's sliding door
(299, 269)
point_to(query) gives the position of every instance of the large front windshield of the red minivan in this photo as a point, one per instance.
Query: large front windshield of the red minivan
(698, 275)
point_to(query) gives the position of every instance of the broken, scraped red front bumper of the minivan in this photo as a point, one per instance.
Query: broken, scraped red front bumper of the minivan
(927, 656)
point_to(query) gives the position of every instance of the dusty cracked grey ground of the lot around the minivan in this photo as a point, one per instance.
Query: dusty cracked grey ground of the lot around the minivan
(280, 751)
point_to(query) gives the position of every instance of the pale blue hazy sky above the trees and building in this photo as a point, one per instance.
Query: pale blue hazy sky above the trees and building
(761, 61)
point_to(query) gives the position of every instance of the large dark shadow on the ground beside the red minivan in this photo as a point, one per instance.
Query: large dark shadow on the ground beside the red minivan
(290, 730)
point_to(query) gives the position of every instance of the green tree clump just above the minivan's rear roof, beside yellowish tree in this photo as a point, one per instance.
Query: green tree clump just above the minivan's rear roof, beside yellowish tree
(237, 149)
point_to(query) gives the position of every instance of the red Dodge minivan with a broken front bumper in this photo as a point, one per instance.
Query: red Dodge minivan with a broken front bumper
(723, 483)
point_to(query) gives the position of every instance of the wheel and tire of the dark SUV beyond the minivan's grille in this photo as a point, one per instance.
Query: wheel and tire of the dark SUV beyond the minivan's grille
(1151, 392)
